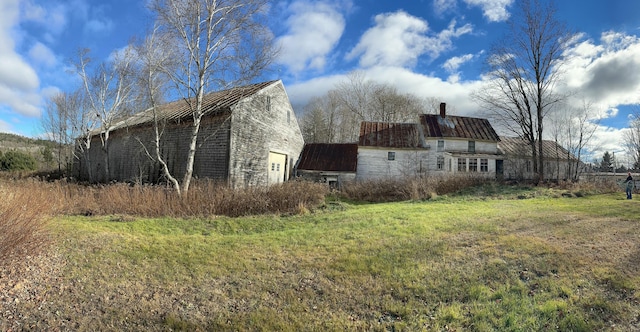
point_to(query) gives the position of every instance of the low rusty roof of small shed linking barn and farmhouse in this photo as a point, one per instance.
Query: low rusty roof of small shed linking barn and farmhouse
(329, 157)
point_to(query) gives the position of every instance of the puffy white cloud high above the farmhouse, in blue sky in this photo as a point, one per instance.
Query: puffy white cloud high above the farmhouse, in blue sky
(399, 39)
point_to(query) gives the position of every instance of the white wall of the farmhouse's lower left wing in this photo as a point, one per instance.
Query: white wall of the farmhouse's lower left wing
(373, 163)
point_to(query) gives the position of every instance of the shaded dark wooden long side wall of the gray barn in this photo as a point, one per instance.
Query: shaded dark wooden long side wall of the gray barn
(130, 150)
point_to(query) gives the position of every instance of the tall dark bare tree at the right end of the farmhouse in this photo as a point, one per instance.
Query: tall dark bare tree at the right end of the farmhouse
(524, 70)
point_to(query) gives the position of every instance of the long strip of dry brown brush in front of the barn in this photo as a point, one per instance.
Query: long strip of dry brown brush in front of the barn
(205, 198)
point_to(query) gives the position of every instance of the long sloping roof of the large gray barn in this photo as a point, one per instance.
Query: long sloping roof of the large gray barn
(213, 102)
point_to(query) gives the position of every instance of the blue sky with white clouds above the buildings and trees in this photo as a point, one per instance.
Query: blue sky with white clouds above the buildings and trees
(430, 48)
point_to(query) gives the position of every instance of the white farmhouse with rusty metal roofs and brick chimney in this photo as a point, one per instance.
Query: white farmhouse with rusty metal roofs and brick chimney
(439, 144)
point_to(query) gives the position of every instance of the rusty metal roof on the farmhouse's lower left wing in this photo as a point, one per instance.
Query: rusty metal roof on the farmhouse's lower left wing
(390, 135)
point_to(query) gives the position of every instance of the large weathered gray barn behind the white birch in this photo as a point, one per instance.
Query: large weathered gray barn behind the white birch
(249, 136)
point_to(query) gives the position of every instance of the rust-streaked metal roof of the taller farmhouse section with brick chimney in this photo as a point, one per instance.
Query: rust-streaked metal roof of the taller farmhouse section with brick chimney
(452, 126)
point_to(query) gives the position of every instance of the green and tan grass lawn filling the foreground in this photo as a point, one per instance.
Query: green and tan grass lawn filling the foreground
(452, 263)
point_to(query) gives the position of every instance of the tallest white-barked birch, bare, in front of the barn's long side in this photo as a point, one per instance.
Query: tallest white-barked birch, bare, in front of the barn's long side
(221, 43)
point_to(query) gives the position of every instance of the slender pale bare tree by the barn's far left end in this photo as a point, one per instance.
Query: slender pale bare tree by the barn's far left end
(108, 96)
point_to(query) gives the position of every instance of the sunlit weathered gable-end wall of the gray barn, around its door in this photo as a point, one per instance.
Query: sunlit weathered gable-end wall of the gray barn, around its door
(262, 123)
